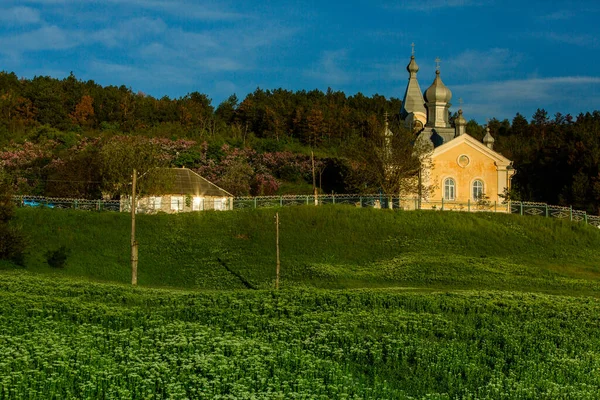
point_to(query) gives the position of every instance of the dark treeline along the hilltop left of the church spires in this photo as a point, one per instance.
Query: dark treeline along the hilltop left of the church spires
(313, 118)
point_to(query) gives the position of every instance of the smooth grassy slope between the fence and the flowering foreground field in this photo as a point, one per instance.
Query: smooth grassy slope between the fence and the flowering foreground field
(325, 247)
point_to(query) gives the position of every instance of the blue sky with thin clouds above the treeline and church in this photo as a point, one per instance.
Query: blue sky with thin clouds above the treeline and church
(500, 57)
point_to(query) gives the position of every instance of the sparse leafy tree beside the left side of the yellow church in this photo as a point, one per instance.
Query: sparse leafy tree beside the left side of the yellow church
(391, 164)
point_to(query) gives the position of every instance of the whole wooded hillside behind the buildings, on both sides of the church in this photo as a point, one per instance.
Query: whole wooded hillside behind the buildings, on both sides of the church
(73, 138)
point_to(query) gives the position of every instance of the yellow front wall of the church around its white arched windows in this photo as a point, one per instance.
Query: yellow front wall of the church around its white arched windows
(480, 167)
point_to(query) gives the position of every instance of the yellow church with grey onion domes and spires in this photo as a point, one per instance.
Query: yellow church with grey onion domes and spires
(462, 171)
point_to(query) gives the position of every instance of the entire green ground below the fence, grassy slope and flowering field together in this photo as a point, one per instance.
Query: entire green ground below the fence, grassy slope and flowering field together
(374, 304)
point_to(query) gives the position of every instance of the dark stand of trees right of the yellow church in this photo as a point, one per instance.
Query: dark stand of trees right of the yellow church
(557, 159)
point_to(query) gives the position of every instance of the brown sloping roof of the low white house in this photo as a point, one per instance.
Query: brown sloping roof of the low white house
(184, 181)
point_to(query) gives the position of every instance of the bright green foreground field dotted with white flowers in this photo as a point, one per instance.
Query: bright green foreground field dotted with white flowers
(65, 339)
